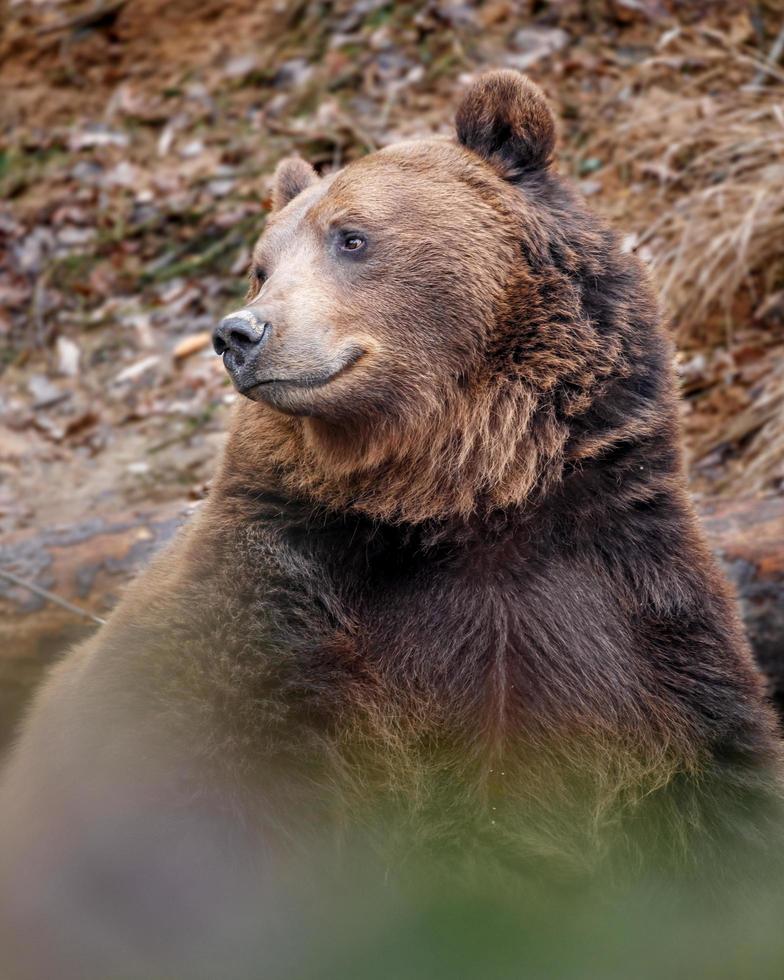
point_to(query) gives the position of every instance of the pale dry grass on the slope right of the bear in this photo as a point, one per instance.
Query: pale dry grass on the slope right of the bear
(701, 167)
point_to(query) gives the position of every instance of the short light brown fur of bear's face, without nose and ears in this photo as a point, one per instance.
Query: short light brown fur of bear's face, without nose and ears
(423, 295)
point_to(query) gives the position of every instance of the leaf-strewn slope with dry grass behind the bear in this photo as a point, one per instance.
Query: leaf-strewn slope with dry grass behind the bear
(136, 143)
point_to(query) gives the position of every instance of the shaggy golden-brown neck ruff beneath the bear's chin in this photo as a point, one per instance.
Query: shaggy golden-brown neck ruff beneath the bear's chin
(467, 458)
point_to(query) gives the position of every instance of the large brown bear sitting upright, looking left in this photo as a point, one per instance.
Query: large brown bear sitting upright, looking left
(447, 593)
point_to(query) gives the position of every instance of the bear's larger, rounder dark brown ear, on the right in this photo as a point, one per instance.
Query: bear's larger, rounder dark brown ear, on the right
(505, 118)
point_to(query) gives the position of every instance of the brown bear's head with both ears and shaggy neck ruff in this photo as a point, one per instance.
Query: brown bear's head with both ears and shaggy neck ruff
(426, 328)
